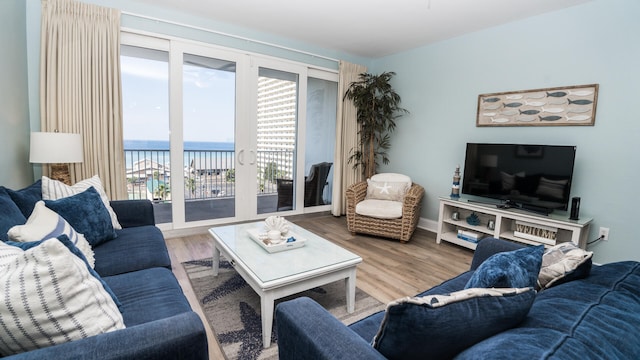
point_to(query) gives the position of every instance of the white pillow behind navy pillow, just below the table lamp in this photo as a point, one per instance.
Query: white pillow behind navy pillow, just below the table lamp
(54, 190)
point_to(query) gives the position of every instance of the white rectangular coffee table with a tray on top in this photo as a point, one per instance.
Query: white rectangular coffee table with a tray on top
(280, 274)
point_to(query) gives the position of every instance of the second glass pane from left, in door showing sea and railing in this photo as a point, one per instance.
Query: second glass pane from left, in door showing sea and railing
(208, 118)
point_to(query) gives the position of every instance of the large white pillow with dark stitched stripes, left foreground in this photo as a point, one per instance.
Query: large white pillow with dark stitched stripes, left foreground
(50, 298)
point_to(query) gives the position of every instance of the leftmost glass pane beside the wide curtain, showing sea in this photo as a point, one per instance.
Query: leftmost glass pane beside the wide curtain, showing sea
(145, 100)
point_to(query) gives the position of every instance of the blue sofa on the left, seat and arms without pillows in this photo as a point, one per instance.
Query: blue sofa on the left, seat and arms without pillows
(160, 323)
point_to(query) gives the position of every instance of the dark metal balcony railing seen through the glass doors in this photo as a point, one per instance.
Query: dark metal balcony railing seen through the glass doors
(207, 174)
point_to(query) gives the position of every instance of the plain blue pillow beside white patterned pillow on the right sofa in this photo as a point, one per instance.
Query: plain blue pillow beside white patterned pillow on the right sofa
(511, 269)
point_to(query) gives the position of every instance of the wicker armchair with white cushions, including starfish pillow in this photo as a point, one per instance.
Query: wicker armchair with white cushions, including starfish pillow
(387, 205)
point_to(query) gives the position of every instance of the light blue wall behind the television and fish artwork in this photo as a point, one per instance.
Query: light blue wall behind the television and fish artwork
(592, 43)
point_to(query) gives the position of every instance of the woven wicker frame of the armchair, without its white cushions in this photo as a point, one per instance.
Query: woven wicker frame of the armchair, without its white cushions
(400, 229)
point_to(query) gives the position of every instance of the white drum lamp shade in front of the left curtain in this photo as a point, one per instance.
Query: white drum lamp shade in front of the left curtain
(55, 148)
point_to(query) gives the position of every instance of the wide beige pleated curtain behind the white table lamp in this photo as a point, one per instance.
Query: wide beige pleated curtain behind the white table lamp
(80, 90)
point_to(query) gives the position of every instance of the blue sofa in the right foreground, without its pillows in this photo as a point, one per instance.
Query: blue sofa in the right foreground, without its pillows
(596, 317)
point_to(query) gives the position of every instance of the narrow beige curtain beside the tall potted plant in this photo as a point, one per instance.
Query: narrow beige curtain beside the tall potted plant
(346, 139)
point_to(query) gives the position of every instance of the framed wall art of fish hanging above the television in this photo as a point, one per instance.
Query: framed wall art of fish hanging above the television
(559, 106)
